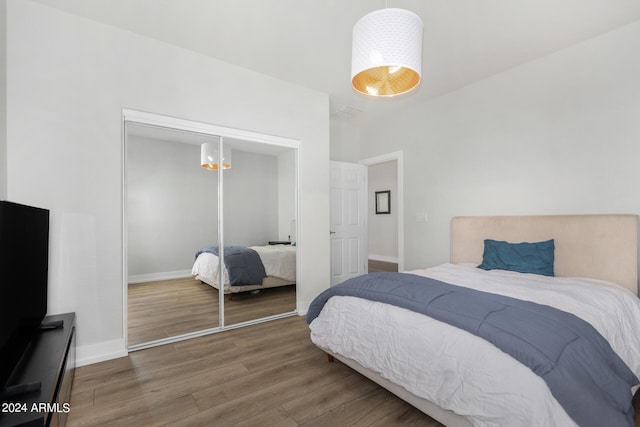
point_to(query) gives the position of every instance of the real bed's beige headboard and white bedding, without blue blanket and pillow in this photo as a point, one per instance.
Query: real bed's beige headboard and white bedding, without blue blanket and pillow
(460, 379)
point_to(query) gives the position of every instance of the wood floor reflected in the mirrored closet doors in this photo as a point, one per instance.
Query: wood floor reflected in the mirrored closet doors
(168, 308)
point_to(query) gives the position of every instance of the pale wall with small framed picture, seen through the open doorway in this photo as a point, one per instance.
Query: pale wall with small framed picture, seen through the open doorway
(383, 228)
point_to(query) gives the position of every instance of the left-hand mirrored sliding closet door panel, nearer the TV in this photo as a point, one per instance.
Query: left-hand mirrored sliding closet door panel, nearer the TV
(171, 213)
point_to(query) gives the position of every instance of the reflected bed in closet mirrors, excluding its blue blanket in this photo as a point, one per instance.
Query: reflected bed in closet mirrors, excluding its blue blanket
(279, 262)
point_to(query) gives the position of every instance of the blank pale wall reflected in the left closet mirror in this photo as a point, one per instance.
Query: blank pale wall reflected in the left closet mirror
(168, 213)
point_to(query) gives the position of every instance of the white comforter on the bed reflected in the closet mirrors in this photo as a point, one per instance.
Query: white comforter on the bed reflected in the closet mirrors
(278, 260)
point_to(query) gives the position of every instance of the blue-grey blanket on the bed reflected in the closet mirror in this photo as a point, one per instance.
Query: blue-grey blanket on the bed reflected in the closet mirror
(243, 264)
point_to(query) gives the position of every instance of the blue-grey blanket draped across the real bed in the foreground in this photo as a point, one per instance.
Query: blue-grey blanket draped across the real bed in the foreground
(582, 371)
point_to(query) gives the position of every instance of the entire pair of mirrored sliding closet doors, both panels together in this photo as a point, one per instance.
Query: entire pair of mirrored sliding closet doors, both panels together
(195, 193)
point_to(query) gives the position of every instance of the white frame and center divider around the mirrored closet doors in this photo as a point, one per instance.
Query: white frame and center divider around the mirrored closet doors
(152, 119)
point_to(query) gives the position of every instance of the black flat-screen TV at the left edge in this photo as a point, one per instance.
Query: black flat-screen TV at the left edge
(24, 264)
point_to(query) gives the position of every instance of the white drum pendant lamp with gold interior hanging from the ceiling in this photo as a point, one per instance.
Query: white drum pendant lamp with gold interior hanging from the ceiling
(386, 58)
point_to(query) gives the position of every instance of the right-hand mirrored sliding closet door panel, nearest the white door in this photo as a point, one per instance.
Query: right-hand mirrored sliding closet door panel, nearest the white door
(259, 221)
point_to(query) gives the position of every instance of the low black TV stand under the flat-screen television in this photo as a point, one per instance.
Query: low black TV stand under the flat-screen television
(39, 389)
